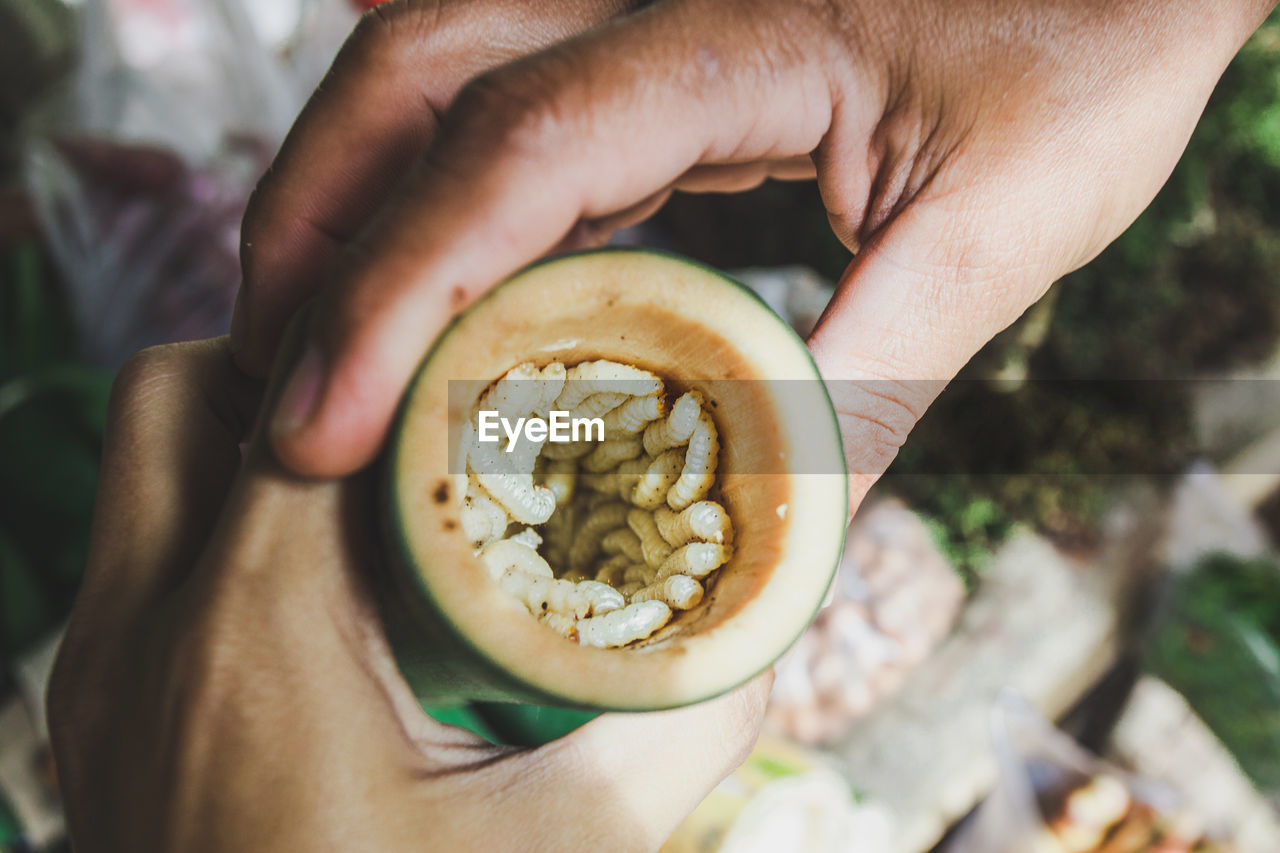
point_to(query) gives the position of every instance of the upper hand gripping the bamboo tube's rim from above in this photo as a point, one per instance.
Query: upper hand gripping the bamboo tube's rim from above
(973, 153)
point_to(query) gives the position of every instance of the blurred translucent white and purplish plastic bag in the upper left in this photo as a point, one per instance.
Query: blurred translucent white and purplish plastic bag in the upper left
(140, 186)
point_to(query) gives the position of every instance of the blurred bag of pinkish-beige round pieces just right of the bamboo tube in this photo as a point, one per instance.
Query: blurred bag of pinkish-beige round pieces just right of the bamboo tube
(895, 599)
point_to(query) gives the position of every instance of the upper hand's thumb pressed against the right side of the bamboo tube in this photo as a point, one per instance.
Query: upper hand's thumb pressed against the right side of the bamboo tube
(907, 317)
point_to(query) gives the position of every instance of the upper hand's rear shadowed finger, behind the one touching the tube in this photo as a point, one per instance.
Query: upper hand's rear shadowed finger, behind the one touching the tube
(373, 116)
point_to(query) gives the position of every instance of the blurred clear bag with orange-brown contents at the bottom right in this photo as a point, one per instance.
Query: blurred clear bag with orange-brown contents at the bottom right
(1054, 797)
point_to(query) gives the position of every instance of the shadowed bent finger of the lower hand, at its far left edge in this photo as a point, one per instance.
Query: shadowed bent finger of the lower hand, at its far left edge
(171, 453)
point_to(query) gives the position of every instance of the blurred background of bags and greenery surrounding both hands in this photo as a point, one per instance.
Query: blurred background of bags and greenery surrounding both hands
(1058, 622)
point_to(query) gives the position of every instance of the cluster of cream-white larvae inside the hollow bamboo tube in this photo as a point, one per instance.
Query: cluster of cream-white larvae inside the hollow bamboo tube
(601, 540)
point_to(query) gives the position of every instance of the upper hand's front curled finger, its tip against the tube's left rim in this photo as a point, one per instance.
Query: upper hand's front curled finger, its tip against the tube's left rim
(528, 152)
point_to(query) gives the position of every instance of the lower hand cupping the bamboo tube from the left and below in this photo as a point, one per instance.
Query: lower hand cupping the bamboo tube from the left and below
(225, 683)
